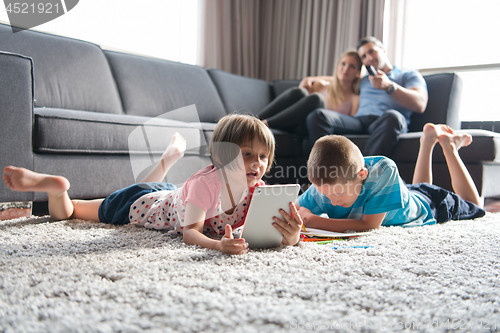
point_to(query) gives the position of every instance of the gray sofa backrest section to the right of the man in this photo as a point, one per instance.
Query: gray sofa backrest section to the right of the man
(443, 107)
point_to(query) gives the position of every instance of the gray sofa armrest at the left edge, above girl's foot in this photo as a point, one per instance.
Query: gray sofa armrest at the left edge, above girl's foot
(16, 118)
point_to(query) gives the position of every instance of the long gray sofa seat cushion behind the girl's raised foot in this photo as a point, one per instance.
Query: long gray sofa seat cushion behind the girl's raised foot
(80, 132)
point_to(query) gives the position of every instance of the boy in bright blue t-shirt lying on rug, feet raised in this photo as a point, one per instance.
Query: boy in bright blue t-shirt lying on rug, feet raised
(364, 193)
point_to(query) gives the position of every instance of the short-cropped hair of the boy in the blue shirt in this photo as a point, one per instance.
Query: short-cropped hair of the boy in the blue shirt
(334, 159)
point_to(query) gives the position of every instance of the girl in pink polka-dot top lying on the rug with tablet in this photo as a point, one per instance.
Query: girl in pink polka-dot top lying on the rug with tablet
(242, 150)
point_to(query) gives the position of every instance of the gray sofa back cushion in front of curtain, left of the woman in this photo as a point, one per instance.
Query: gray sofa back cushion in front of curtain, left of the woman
(241, 94)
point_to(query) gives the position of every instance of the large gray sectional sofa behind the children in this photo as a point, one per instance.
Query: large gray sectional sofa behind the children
(100, 117)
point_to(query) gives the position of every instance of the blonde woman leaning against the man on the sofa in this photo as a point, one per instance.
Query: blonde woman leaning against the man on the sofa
(339, 93)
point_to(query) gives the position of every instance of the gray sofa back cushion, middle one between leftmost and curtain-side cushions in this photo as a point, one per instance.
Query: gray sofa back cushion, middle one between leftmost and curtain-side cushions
(152, 87)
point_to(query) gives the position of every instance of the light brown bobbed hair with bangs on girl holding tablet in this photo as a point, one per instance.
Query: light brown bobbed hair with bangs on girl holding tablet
(239, 129)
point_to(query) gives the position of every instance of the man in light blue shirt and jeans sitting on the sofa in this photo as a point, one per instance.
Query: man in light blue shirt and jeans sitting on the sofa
(387, 100)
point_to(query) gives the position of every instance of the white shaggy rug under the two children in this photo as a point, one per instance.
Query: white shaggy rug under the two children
(77, 276)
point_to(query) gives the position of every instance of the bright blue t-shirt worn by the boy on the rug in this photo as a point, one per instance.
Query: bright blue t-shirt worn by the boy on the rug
(383, 191)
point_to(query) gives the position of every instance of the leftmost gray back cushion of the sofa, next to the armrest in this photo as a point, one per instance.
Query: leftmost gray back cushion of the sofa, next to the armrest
(69, 73)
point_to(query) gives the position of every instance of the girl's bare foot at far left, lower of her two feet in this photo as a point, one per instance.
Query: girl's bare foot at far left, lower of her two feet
(24, 180)
